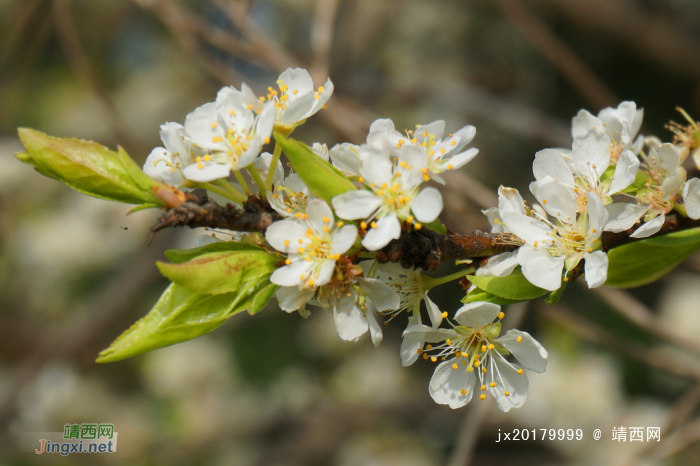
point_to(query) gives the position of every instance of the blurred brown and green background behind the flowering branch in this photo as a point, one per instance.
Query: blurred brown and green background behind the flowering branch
(276, 389)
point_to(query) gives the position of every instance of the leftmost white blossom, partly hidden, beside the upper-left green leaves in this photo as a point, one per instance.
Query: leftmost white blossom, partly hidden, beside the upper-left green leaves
(166, 164)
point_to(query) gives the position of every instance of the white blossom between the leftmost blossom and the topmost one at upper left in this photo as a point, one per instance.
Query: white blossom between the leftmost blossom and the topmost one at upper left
(231, 133)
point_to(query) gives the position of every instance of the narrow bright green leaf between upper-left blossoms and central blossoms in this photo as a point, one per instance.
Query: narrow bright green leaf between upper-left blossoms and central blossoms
(322, 178)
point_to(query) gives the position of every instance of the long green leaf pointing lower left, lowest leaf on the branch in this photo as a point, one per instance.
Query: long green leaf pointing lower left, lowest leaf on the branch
(181, 315)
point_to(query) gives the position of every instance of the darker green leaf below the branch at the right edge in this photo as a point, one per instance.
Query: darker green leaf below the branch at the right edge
(645, 261)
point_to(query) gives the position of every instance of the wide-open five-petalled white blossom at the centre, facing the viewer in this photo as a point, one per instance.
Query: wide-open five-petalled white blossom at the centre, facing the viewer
(393, 196)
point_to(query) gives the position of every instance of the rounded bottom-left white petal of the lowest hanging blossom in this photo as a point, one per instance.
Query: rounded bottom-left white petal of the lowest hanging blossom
(447, 384)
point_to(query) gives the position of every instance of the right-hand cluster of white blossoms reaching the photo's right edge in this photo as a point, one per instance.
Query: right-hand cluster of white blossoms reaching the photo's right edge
(575, 188)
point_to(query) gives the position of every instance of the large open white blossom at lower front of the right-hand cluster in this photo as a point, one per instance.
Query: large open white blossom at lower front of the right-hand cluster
(551, 249)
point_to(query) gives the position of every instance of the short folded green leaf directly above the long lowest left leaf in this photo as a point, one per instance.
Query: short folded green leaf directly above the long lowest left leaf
(220, 272)
